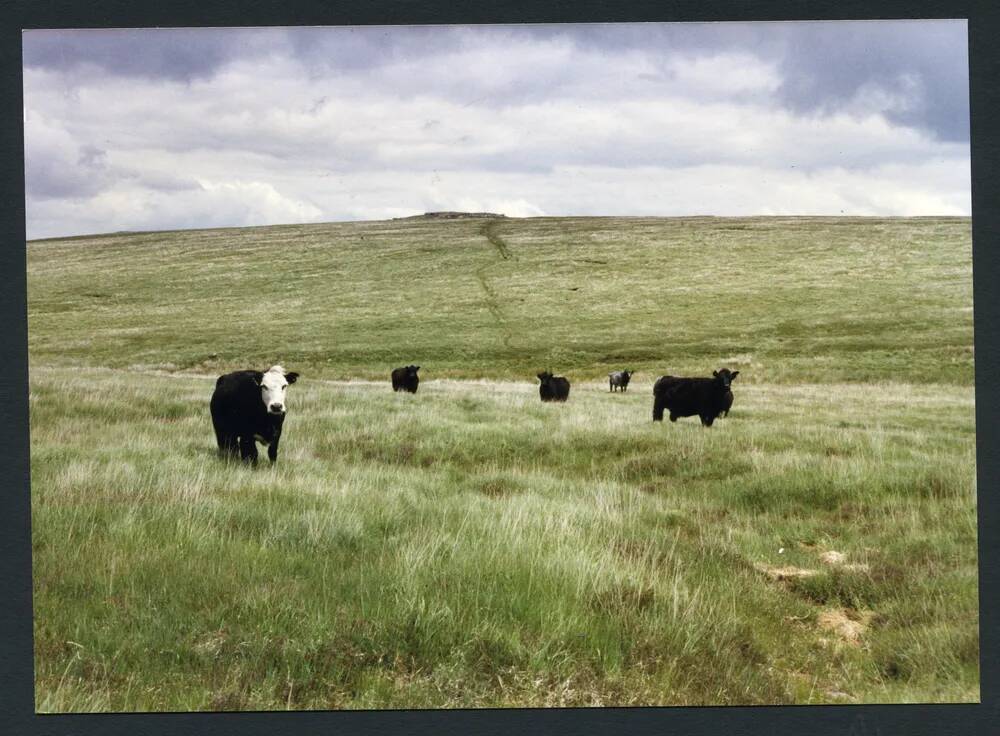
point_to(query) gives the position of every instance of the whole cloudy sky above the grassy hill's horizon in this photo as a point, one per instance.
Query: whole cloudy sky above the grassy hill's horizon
(153, 129)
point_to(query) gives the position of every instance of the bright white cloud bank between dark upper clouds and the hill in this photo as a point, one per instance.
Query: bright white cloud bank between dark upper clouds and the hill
(507, 123)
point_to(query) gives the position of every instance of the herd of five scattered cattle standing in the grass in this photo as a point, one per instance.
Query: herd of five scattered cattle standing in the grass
(249, 406)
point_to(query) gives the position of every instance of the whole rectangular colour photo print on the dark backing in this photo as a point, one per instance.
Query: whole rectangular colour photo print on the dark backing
(501, 366)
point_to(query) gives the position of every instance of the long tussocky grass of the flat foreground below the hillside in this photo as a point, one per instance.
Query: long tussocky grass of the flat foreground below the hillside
(533, 554)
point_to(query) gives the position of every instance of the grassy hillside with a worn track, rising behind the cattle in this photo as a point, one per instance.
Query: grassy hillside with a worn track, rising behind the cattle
(790, 299)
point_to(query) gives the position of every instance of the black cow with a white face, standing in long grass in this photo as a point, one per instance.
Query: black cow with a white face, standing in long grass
(249, 407)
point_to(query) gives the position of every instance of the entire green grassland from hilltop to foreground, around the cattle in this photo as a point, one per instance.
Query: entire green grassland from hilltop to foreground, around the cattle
(470, 546)
